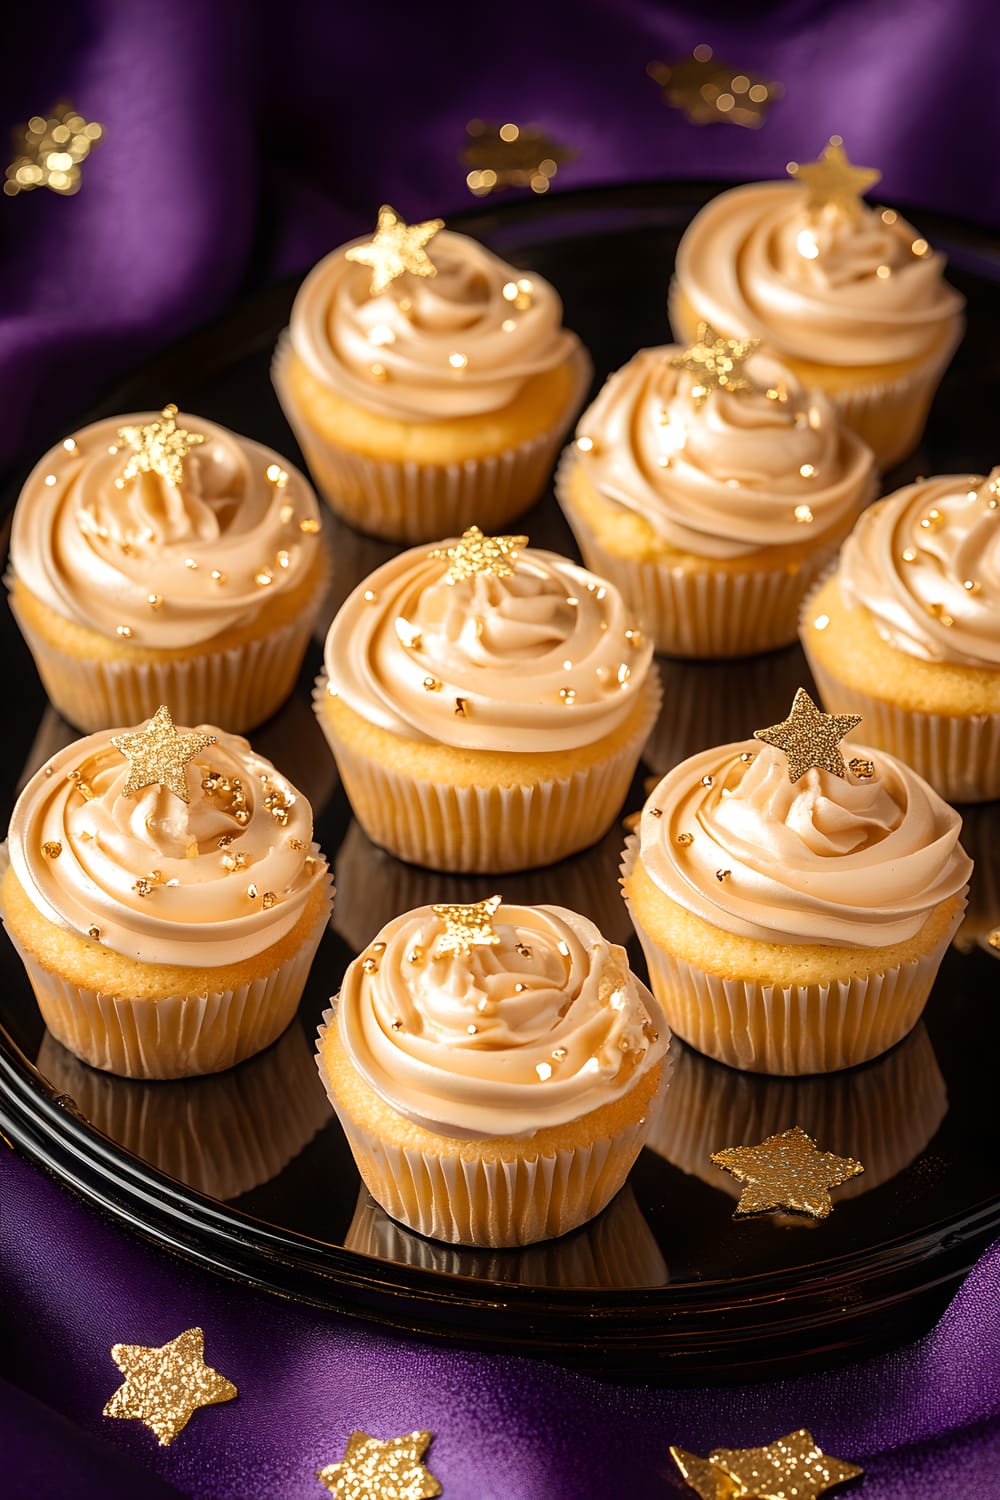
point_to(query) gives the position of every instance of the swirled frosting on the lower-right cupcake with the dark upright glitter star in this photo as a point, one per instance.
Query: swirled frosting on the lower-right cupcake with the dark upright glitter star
(824, 860)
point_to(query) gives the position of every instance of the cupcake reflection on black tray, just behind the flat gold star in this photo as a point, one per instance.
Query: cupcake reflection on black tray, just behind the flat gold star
(884, 1114)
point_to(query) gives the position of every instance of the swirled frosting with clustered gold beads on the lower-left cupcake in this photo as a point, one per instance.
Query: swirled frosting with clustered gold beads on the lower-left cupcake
(199, 910)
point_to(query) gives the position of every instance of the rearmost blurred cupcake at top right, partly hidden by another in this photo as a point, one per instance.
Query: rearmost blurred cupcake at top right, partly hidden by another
(849, 296)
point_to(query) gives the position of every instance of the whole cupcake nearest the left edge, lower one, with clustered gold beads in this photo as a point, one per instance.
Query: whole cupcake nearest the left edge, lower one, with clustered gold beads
(166, 899)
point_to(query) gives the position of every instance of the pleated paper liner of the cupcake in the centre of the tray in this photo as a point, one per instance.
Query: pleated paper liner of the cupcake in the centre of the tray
(491, 829)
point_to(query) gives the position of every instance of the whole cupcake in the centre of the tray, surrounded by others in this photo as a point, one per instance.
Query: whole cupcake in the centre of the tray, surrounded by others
(487, 704)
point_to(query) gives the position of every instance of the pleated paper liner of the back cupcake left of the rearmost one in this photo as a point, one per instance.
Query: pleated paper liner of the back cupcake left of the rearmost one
(410, 502)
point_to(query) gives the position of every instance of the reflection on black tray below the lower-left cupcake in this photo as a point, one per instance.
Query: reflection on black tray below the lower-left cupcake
(223, 1135)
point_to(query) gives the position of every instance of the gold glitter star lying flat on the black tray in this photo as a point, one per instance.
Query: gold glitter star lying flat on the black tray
(786, 1172)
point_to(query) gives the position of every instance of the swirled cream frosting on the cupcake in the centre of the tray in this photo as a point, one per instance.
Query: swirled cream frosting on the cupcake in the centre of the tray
(507, 647)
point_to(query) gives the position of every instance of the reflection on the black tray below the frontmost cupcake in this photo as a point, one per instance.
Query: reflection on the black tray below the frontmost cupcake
(614, 1250)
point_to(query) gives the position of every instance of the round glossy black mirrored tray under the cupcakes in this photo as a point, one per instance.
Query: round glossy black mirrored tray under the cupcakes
(250, 1172)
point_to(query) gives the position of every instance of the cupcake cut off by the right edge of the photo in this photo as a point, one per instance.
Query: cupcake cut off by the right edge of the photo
(908, 632)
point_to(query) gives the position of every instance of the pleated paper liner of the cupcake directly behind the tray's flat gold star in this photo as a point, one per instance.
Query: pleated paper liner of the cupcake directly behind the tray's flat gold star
(789, 1030)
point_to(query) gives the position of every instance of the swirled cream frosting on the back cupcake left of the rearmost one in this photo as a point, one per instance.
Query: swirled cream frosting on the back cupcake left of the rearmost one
(448, 346)
